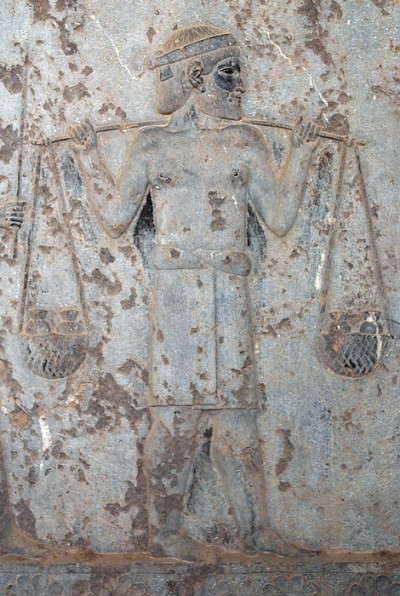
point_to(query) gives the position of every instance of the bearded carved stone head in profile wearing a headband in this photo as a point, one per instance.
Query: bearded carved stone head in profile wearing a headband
(200, 60)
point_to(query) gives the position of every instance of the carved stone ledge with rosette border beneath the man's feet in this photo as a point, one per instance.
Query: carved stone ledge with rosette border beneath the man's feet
(141, 580)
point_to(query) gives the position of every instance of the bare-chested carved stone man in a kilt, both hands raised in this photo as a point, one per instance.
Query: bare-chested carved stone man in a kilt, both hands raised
(201, 169)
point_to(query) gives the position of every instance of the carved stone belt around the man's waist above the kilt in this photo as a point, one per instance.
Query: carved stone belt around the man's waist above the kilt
(230, 261)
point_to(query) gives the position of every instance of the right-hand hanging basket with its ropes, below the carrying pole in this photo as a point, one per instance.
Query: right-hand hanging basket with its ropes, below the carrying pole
(353, 331)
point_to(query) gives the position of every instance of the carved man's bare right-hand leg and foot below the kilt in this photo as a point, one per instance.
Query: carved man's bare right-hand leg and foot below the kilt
(236, 454)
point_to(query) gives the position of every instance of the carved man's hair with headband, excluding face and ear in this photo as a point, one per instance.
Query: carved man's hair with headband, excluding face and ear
(204, 43)
